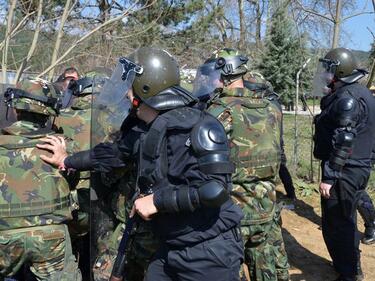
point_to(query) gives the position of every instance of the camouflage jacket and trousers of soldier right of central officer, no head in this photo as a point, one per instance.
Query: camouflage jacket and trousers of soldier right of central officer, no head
(253, 128)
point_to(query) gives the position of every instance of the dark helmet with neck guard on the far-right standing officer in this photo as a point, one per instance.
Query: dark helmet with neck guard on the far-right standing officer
(342, 63)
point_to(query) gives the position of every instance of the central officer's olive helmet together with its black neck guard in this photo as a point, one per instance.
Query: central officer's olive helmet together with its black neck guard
(157, 84)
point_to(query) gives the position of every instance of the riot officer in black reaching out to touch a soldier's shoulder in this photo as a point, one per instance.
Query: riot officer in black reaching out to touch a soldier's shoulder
(182, 154)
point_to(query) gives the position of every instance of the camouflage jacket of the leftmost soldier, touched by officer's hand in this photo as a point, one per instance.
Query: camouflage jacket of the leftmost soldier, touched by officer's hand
(32, 192)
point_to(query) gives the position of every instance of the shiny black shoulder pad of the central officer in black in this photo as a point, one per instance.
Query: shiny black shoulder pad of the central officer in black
(210, 144)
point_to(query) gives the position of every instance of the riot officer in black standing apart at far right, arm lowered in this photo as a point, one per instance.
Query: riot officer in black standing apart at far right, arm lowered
(344, 137)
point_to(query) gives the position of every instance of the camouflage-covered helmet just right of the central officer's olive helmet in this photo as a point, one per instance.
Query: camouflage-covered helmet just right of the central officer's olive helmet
(231, 62)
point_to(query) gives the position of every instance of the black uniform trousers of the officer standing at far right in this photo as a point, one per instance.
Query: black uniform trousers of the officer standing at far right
(339, 220)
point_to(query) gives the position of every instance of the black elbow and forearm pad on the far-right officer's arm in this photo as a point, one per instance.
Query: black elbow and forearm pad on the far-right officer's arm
(342, 150)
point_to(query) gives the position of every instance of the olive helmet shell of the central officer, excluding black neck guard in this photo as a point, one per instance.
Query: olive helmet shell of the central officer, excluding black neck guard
(160, 72)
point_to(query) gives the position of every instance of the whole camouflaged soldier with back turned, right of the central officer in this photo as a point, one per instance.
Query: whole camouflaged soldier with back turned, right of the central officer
(253, 127)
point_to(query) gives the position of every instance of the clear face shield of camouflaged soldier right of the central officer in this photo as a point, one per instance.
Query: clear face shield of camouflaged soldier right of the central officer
(207, 81)
